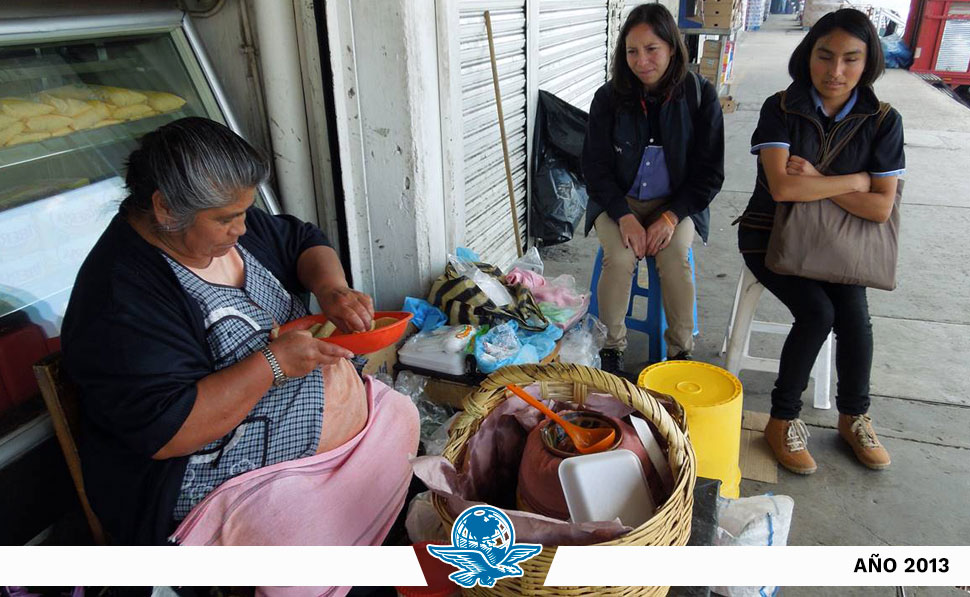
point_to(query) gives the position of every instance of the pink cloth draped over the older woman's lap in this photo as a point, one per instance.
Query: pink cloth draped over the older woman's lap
(357, 491)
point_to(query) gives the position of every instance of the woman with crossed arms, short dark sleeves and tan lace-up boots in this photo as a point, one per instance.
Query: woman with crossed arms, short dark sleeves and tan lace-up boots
(833, 70)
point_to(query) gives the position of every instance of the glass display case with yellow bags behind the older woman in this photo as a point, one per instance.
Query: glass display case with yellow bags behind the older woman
(75, 96)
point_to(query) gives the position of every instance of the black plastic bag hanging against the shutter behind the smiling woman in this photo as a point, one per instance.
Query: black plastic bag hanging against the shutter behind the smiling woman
(558, 188)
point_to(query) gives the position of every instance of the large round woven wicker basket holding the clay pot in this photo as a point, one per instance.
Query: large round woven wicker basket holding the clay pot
(572, 383)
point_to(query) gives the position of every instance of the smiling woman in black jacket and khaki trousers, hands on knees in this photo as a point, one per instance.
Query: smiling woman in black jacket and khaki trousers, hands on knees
(653, 160)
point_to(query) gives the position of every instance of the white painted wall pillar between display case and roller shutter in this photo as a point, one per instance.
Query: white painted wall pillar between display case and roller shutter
(385, 66)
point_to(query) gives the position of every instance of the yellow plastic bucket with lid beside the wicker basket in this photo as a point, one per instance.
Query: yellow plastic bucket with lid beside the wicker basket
(712, 399)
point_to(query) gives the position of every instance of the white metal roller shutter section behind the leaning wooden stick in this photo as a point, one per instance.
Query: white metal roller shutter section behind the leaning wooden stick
(488, 219)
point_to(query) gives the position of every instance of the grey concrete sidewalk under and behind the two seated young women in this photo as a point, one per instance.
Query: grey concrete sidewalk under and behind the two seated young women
(921, 404)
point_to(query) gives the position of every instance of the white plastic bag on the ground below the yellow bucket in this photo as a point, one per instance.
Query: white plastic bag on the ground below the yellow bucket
(759, 520)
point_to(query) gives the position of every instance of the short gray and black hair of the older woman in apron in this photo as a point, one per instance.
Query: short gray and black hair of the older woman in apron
(196, 164)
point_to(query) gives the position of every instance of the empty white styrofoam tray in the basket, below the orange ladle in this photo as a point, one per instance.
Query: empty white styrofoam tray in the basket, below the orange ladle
(606, 486)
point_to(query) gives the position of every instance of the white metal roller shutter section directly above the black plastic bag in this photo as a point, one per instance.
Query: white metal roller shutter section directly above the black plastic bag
(573, 48)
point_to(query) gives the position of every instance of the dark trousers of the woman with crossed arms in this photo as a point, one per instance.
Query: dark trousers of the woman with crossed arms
(819, 307)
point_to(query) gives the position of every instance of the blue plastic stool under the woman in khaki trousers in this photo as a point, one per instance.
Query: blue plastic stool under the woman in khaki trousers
(655, 324)
